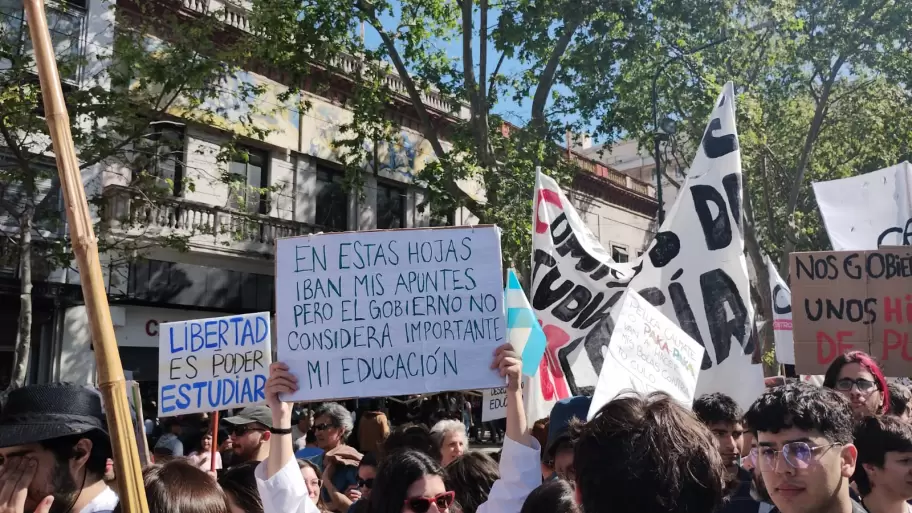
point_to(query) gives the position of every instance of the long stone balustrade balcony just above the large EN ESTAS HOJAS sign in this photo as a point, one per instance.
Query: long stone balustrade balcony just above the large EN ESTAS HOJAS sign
(128, 213)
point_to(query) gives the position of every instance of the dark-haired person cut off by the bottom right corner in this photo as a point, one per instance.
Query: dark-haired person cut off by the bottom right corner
(884, 470)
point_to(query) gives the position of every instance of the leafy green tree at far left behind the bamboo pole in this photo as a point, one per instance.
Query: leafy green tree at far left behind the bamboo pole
(150, 64)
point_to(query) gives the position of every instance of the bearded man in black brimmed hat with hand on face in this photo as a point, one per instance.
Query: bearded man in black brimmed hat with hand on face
(54, 437)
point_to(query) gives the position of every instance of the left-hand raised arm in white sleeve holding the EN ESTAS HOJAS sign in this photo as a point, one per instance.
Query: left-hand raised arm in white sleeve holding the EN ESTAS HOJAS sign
(281, 449)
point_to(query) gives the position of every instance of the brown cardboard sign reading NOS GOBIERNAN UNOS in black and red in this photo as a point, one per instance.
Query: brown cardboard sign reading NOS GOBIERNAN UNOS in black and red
(852, 300)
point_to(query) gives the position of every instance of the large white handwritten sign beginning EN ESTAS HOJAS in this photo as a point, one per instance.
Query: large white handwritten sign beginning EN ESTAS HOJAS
(390, 312)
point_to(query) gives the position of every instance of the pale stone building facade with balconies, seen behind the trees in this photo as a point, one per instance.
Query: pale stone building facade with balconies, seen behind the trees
(228, 267)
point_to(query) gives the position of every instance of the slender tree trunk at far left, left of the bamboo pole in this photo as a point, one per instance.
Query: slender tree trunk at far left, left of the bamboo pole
(24, 334)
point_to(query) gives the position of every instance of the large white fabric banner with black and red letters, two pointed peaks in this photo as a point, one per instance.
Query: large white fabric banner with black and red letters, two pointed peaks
(694, 272)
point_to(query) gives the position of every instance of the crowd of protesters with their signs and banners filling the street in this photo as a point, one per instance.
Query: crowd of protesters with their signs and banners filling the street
(672, 420)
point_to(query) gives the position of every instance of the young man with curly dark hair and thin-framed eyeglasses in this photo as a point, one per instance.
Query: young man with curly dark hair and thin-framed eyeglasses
(804, 448)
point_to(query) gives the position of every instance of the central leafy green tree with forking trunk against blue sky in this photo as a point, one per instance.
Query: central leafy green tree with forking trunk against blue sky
(564, 55)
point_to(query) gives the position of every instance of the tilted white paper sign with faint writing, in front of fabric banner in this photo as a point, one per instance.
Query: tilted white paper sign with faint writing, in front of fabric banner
(648, 353)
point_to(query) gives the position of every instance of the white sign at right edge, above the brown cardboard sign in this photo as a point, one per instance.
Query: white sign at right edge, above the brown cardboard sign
(864, 212)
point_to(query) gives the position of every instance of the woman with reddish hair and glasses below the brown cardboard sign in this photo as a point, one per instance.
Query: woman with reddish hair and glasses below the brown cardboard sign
(859, 379)
